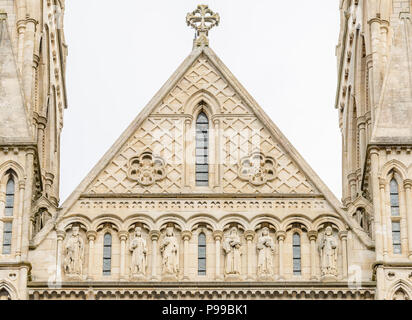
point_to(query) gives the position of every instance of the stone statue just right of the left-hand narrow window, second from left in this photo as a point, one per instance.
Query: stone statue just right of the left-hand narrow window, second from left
(138, 248)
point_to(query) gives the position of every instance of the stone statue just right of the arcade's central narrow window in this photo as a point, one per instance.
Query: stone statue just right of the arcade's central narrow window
(231, 247)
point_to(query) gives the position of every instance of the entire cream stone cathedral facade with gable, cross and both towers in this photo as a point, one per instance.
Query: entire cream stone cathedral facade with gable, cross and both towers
(202, 197)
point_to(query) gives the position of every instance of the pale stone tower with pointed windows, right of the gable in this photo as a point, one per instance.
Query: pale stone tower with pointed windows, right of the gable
(374, 100)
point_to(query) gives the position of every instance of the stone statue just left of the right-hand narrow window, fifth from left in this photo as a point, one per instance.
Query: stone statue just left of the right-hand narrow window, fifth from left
(266, 249)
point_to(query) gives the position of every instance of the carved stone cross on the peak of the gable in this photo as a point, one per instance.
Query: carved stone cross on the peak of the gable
(202, 20)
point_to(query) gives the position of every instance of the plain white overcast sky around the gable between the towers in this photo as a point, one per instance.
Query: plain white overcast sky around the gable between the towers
(121, 52)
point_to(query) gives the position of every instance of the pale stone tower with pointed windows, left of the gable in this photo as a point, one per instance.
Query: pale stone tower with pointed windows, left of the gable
(32, 99)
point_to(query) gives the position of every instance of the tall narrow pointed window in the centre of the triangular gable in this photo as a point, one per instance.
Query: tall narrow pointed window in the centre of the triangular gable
(202, 150)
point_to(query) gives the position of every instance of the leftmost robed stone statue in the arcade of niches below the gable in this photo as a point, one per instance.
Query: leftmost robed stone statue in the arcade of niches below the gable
(74, 253)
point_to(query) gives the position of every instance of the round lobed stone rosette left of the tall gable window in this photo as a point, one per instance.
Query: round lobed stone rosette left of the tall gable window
(146, 169)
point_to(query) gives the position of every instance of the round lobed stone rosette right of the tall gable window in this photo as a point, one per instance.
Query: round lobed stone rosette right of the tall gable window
(257, 169)
